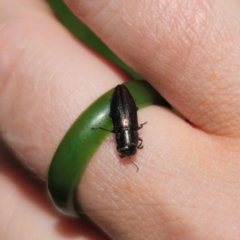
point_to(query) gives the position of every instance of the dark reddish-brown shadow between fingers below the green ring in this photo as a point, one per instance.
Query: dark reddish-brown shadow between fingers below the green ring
(35, 191)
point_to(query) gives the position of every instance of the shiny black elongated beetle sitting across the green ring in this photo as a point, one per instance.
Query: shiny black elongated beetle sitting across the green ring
(123, 112)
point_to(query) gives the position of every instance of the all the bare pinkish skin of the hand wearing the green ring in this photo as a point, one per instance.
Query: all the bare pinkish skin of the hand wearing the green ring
(188, 185)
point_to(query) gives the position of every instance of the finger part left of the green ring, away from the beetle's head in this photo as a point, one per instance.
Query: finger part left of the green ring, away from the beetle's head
(47, 79)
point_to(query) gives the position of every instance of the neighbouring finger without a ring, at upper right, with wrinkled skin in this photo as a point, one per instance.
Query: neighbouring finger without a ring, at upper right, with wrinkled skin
(186, 49)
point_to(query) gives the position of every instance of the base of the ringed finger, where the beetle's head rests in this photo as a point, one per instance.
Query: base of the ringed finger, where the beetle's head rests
(187, 186)
